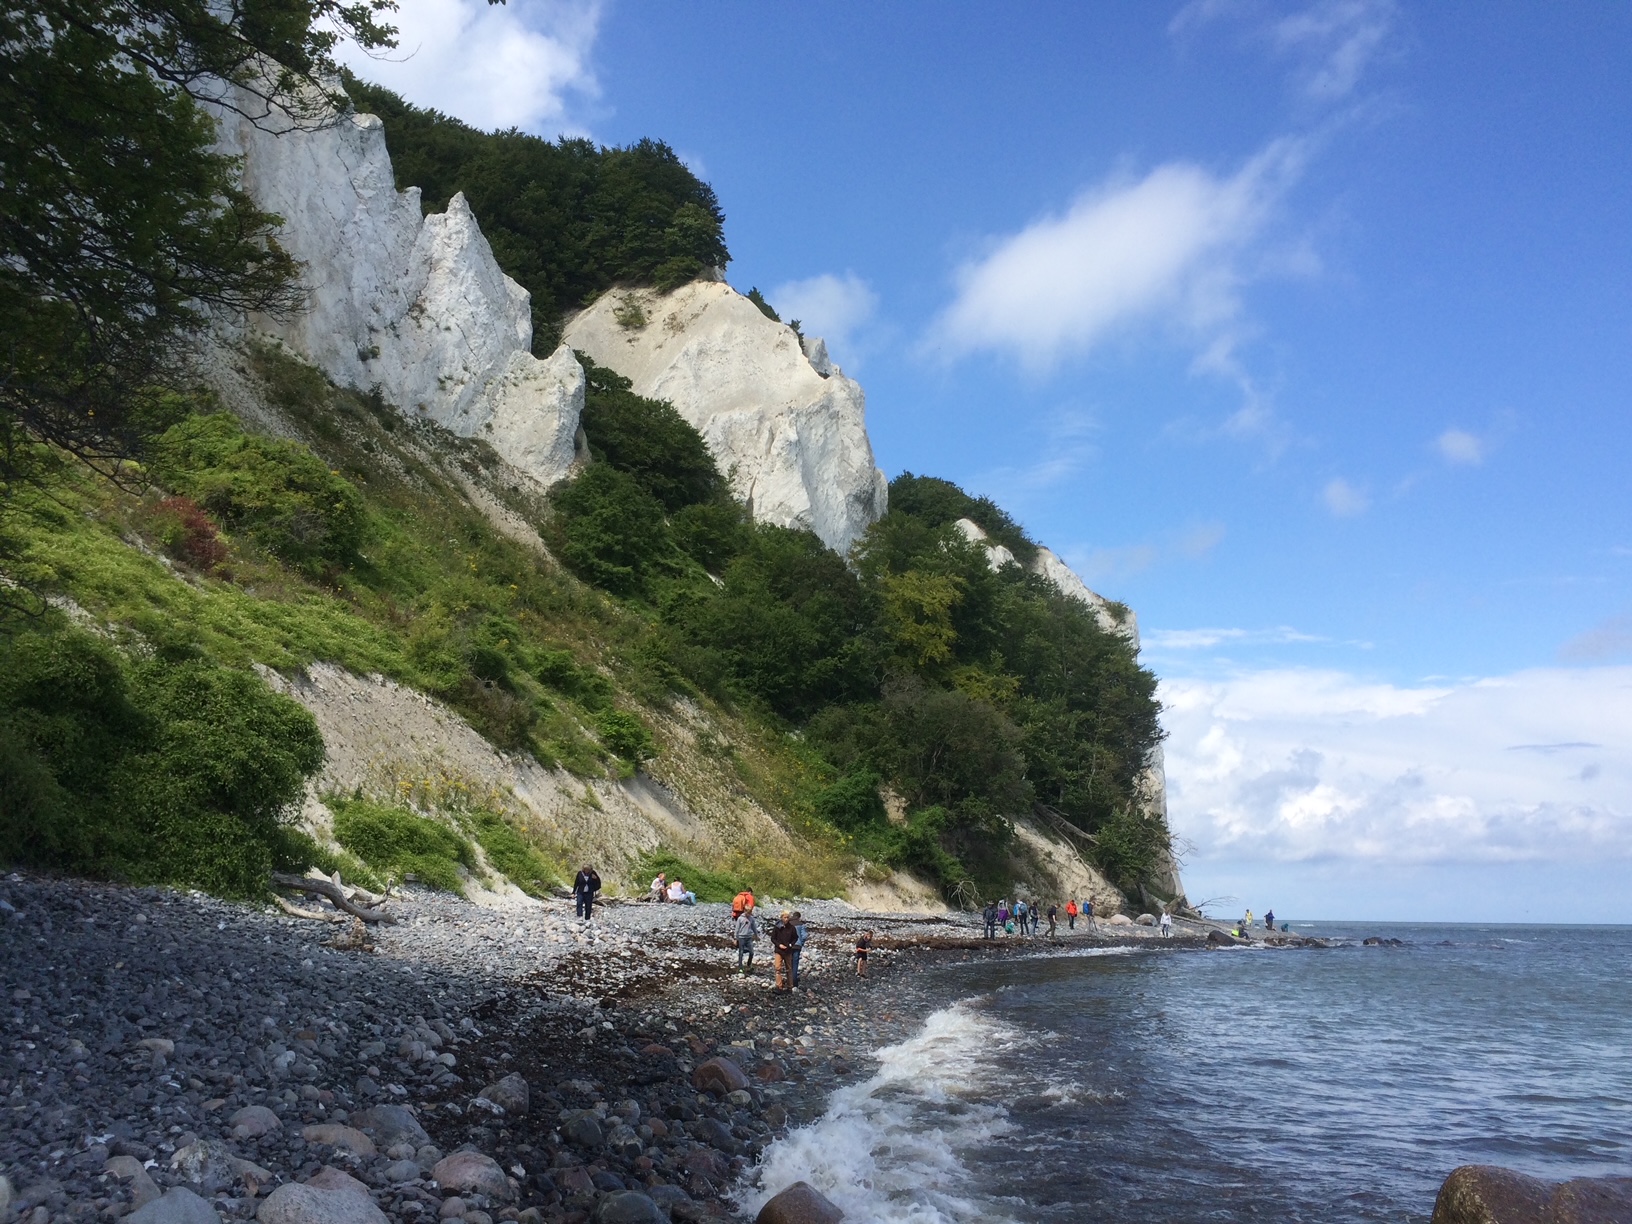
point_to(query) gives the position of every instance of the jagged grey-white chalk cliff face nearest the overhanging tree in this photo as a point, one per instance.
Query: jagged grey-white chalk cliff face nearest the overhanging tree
(412, 306)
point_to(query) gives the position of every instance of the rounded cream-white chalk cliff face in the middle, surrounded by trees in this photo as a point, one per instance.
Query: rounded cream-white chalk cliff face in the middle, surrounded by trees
(779, 417)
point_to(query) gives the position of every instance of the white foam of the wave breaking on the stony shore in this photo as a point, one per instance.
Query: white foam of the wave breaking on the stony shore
(889, 1150)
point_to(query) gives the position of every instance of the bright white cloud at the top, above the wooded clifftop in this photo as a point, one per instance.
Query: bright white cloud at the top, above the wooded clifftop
(492, 66)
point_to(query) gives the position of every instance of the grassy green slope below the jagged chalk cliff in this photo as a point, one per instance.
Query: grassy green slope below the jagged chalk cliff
(437, 596)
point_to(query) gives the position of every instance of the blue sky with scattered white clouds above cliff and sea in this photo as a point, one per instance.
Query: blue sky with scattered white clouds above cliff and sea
(1303, 329)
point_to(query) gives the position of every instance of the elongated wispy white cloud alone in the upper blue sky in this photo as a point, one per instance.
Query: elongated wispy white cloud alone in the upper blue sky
(1166, 247)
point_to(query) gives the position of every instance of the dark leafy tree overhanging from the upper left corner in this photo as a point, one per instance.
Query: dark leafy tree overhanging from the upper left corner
(122, 233)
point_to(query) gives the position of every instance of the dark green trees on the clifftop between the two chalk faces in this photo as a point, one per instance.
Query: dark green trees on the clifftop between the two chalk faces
(567, 220)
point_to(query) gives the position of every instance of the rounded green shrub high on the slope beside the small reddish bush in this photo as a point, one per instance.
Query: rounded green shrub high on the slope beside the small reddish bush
(275, 492)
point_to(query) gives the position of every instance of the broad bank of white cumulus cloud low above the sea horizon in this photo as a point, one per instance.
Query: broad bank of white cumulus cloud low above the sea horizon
(1316, 766)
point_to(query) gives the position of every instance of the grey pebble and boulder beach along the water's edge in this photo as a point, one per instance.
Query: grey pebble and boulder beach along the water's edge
(477, 1065)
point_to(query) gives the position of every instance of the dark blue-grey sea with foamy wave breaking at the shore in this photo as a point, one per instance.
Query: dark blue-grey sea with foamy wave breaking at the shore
(1248, 1084)
